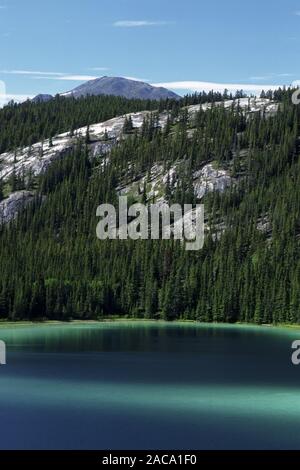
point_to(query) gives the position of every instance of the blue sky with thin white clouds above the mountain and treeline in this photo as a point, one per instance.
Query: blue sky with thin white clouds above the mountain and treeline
(52, 46)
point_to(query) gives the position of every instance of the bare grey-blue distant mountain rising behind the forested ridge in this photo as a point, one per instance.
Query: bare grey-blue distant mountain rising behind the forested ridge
(116, 86)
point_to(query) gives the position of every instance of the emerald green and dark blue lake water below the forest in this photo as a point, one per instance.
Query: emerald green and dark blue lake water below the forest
(131, 385)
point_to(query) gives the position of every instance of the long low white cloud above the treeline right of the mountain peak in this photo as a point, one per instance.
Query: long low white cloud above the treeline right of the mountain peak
(197, 86)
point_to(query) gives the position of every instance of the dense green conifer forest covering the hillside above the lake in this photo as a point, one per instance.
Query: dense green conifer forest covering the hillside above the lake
(53, 266)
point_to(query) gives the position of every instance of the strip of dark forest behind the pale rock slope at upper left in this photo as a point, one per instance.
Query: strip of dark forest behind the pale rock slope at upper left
(30, 122)
